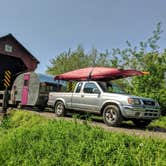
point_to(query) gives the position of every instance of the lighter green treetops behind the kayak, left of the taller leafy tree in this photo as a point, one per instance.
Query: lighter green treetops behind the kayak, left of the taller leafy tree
(77, 59)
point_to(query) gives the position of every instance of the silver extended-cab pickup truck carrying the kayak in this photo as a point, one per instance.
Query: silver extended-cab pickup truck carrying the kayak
(108, 100)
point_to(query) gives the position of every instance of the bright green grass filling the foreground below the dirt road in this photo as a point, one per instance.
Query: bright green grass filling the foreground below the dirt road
(28, 139)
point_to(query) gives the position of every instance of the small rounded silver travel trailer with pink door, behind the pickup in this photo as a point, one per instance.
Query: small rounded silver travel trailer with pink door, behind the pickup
(32, 89)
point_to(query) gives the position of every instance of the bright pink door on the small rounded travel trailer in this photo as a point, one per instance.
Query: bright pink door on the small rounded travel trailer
(25, 89)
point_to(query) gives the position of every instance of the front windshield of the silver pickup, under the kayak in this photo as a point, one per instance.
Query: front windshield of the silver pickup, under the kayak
(111, 87)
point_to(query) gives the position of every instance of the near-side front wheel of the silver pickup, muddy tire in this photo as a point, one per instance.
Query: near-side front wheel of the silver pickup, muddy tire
(112, 115)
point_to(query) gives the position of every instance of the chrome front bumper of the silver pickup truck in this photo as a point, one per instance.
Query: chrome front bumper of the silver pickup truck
(140, 112)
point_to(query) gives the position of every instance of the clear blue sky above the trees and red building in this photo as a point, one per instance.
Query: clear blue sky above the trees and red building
(49, 27)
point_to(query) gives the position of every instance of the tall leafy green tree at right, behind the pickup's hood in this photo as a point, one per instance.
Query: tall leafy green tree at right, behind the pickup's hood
(153, 85)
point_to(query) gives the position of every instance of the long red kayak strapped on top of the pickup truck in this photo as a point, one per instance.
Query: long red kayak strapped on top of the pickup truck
(98, 74)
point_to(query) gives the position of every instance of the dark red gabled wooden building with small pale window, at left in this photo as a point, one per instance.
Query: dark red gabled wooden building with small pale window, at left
(15, 58)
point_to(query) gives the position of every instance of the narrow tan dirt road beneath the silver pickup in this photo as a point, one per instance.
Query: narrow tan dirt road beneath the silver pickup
(128, 129)
